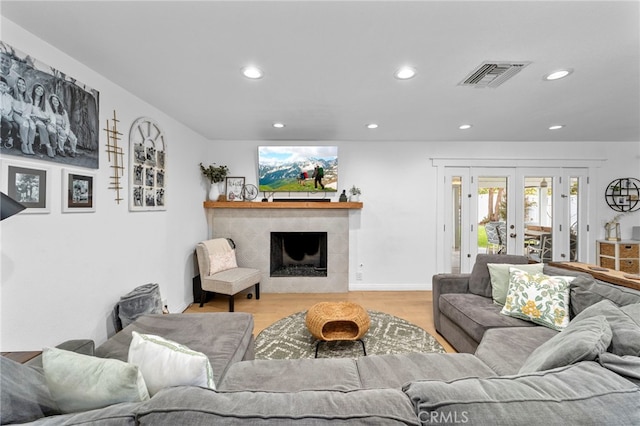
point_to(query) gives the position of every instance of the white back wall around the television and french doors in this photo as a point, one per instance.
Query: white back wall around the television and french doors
(393, 236)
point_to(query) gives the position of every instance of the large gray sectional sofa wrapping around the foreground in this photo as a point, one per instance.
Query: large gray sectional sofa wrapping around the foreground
(600, 386)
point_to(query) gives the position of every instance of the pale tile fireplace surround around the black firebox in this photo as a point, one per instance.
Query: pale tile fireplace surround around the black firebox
(251, 229)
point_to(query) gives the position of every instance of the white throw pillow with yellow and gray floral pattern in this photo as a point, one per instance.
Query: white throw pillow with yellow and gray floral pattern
(538, 298)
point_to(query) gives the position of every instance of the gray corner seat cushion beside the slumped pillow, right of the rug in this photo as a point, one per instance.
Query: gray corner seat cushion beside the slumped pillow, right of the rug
(505, 350)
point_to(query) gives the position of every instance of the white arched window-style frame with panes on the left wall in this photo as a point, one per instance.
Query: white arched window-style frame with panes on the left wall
(147, 160)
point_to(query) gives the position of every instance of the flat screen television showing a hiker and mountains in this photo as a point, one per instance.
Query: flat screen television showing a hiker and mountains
(298, 168)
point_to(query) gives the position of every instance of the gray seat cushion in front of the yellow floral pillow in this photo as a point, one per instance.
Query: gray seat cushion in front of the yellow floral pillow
(475, 314)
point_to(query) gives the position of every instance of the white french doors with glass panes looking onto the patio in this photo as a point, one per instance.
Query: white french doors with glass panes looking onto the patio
(539, 212)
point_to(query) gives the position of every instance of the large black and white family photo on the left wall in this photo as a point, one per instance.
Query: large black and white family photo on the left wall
(46, 114)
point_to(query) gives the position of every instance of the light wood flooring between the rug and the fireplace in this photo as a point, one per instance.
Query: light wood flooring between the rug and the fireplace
(412, 306)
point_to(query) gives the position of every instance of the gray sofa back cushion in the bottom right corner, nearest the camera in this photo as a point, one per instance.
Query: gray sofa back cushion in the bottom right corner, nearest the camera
(584, 393)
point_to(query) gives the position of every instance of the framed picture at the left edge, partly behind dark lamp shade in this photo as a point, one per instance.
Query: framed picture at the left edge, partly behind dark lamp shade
(28, 185)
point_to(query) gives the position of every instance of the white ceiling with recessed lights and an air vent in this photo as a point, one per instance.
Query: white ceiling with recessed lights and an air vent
(329, 65)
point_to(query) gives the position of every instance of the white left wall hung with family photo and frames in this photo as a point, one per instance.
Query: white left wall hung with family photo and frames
(63, 273)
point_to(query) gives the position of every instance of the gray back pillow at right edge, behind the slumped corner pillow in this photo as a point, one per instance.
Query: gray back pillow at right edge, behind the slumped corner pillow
(624, 323)
